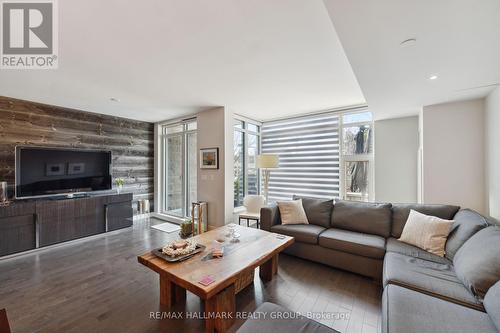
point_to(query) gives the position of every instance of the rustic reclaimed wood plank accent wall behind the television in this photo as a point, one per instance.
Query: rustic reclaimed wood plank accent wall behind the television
(131, 141)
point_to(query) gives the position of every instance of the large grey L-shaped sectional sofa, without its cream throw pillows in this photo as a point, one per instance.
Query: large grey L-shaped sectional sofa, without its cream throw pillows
(420, 289)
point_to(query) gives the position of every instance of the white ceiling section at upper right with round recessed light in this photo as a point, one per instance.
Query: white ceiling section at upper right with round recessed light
(458, 40)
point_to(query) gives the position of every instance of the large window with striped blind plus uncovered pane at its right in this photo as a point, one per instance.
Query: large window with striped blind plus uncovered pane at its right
(327, 155)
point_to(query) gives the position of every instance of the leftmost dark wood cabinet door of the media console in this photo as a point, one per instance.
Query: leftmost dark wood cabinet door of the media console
(17, 234)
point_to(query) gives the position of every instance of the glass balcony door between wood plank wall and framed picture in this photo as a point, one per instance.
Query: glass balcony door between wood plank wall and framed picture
(179, 164)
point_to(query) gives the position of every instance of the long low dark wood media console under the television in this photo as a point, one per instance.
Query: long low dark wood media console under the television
(30, 224)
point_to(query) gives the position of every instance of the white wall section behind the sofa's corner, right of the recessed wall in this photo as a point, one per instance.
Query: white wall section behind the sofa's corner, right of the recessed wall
(453, 154)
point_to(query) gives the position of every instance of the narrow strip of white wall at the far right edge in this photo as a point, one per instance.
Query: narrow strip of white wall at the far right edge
(492, 138)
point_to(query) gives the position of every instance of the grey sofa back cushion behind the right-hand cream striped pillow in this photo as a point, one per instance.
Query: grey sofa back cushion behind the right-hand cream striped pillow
(400, 213)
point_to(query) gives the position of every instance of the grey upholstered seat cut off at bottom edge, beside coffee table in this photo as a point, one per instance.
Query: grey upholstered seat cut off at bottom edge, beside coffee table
(273, 318)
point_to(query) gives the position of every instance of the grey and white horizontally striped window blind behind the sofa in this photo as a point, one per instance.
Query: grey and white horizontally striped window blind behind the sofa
(309, 151)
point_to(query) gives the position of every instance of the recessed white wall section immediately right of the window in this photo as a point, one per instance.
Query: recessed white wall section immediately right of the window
(396, 160)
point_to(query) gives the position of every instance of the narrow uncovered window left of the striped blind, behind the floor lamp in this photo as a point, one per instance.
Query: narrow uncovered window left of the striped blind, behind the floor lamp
(246, 149)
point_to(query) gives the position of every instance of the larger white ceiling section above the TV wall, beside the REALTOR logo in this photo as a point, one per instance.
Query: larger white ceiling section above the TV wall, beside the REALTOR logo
(168, 58)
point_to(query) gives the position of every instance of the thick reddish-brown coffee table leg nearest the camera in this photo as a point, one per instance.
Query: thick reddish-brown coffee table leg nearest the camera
(220, 311)
